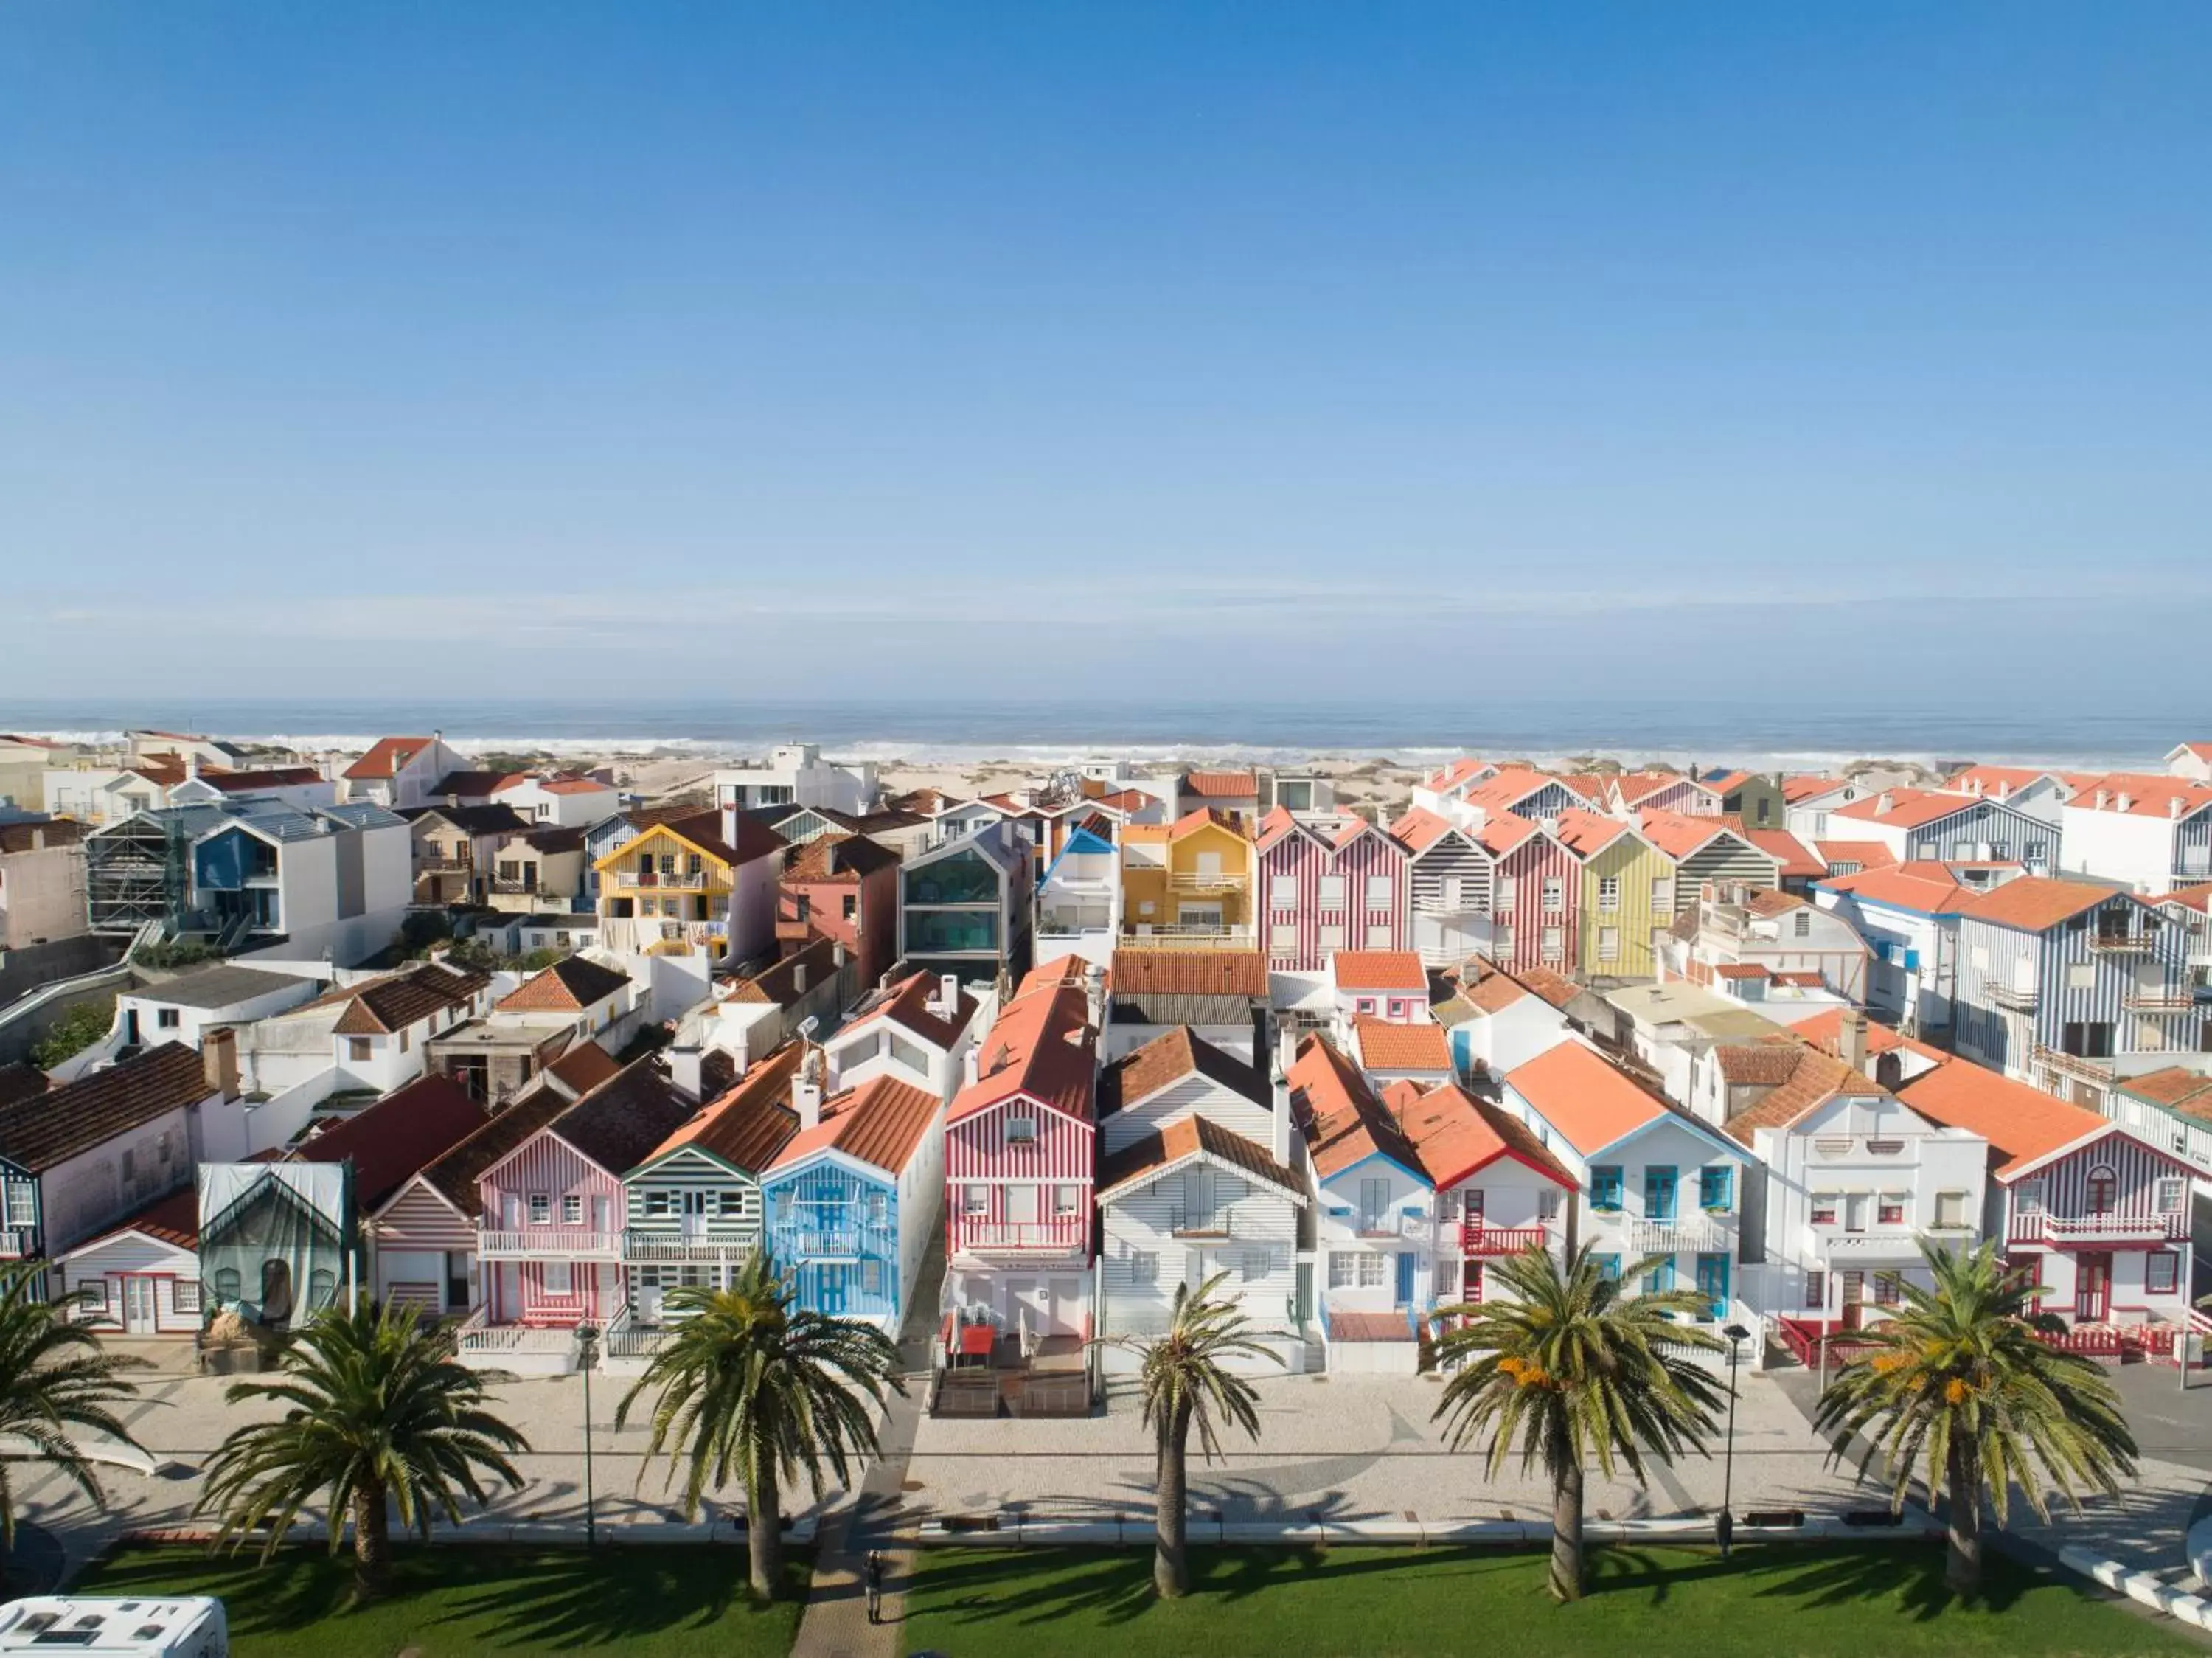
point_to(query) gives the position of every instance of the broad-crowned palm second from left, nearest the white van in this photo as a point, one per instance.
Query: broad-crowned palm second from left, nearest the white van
(379, 1411)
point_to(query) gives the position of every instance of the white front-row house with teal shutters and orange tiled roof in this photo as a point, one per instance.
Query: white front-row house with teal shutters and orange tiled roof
(1658, 1185)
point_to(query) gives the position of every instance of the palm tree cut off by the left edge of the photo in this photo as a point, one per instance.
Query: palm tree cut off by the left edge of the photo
(54, 1378)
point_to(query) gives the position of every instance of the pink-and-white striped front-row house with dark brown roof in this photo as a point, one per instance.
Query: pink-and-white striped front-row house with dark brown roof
(552, 1223)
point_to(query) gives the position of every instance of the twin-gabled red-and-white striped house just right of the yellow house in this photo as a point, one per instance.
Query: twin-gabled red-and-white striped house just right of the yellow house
(1326, 887)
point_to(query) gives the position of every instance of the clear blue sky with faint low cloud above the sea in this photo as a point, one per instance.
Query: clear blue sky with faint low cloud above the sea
(1123, 349)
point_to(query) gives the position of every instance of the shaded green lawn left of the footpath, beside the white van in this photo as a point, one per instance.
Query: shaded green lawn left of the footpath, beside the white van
(468, 1599)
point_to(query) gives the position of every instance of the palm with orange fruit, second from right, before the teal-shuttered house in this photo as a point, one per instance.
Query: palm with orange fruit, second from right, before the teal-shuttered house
(1572, 1367)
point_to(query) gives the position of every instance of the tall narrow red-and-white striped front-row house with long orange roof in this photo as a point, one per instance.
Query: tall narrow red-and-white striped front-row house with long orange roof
(1021, 1159)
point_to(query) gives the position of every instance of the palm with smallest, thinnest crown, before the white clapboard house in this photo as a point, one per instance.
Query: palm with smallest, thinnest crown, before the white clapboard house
(1187, 1385)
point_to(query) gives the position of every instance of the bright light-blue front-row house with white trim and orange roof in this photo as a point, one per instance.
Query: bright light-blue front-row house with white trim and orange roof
(853, 1199)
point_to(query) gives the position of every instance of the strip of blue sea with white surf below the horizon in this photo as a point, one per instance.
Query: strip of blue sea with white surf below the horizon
(1751, 734)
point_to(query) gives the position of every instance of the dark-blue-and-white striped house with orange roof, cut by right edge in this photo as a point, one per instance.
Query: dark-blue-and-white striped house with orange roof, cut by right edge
(2067, 984)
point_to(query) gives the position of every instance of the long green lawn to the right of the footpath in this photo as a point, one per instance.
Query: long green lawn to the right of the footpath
(1410, 1604)
